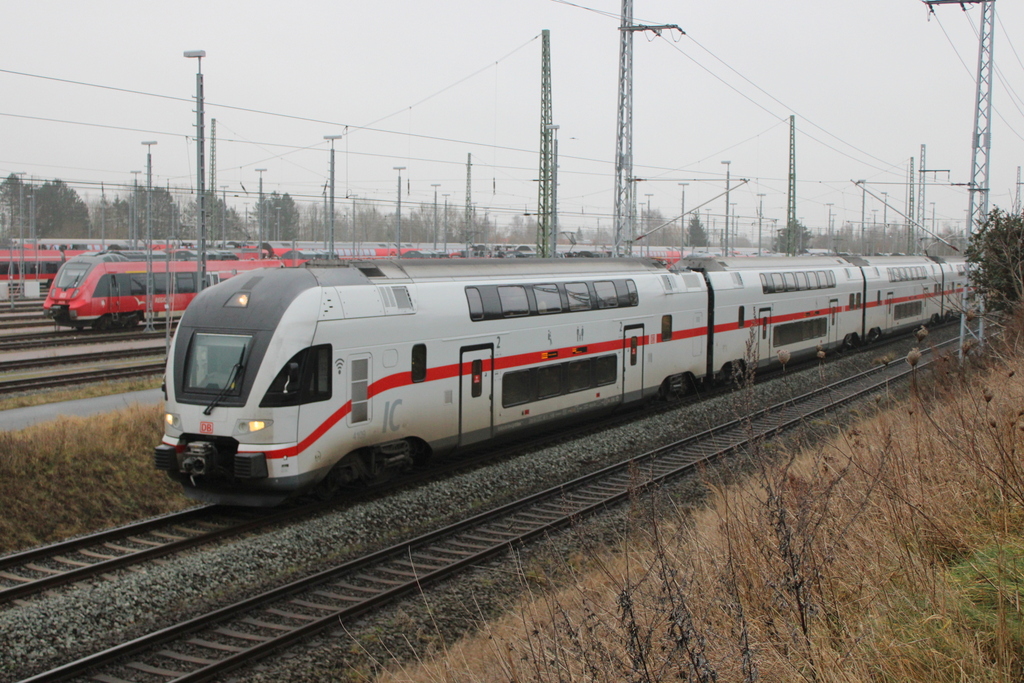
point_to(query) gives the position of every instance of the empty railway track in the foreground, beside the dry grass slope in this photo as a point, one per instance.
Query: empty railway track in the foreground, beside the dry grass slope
(226, 639)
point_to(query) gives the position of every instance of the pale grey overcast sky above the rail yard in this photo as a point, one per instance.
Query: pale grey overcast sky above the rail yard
(422, 86)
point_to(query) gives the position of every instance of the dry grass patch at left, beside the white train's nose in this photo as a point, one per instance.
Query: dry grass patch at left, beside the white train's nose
(75, 476)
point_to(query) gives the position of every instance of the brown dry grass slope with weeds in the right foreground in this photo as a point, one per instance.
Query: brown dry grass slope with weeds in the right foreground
(894, 553)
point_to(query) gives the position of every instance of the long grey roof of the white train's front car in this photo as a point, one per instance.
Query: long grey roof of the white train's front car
(485, 269)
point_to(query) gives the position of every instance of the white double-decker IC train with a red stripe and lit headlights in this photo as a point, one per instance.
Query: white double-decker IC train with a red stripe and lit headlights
(286, 381)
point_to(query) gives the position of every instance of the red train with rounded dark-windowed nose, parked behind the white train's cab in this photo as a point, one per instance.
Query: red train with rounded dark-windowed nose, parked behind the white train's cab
(105, 294)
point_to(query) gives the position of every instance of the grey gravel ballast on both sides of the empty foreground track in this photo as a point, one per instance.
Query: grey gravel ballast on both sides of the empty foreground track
(82, 619)
